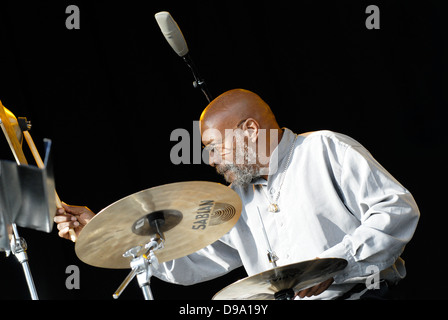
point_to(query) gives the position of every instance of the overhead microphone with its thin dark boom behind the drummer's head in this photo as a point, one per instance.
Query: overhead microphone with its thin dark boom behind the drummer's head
(176, 40)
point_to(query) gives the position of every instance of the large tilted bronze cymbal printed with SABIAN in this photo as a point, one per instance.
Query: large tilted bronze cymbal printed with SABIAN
(195, 215)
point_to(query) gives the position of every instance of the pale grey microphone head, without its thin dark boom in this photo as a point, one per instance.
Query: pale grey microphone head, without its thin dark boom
(172, 33)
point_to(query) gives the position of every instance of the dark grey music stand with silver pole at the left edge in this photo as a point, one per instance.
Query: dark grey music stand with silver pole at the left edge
(26, 200)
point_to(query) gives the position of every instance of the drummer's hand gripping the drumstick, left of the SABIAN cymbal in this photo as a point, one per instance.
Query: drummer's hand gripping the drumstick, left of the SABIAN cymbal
(72, 217)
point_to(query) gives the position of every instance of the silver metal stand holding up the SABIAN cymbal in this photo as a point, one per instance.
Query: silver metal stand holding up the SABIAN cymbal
(141, 265)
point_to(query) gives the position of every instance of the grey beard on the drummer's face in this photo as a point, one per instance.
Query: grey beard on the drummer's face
(241, 174)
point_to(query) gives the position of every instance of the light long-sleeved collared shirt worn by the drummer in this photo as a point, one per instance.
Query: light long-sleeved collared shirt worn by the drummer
(335, 200)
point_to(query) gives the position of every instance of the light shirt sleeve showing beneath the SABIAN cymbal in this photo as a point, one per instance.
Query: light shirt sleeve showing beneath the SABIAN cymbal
(208, 263)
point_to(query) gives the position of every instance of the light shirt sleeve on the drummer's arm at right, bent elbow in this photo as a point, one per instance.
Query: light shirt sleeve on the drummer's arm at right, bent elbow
(386, 211)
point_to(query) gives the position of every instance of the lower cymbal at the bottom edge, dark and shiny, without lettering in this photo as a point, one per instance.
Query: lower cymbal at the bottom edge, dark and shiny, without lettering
(282, 281)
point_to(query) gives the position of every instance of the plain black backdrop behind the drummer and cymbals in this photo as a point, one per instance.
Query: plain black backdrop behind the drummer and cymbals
(110, 94)
